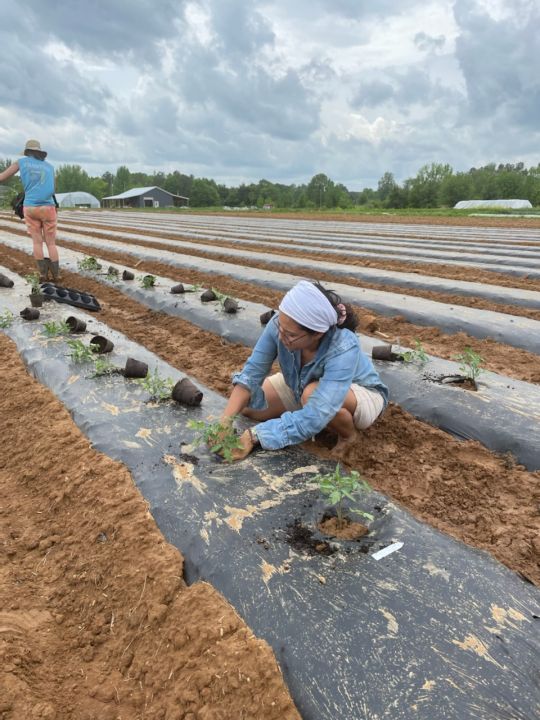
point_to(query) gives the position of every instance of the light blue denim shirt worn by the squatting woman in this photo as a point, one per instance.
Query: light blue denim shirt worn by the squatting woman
(338, 363)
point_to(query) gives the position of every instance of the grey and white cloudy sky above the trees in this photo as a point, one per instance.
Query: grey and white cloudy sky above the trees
(239, 90)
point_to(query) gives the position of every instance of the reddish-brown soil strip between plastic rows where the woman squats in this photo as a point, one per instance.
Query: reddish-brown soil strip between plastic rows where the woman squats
(460, 488)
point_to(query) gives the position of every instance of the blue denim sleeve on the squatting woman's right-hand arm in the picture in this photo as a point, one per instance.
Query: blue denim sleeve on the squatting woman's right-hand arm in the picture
(323, 405)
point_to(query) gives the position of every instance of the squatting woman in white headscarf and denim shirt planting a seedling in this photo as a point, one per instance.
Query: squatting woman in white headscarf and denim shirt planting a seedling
(325, 380)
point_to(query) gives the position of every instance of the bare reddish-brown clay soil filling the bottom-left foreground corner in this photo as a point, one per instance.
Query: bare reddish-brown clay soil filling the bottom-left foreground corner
(96, 622)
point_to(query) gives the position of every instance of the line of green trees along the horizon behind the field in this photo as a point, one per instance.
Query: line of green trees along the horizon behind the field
(435, 185)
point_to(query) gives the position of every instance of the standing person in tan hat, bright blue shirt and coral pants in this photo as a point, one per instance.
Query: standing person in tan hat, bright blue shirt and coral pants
(37, 177)
